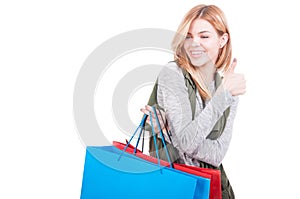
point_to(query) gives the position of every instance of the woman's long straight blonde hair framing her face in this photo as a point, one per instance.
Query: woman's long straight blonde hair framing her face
(216, 18)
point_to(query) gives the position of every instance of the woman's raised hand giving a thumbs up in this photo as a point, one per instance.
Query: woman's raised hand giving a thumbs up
(235, 83)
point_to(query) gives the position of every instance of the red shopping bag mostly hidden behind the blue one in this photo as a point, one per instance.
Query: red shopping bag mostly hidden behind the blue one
(212, 174)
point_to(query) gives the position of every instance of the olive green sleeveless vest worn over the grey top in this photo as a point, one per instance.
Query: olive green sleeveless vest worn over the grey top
(227, 192)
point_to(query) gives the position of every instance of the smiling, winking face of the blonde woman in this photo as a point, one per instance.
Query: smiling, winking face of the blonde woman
(202, 43)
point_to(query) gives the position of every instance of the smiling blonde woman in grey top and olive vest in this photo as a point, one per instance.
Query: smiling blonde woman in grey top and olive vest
(200, 105)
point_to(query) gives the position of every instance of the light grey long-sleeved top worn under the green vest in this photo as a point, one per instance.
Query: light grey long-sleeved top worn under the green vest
(189, 136)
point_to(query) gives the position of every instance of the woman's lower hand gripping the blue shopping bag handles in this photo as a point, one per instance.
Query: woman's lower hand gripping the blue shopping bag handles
(161, 117)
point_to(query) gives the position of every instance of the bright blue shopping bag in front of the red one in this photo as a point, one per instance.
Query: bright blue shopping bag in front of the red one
(110, 173)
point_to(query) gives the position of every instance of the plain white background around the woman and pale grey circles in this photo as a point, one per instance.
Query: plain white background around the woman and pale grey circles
(44, 44)
